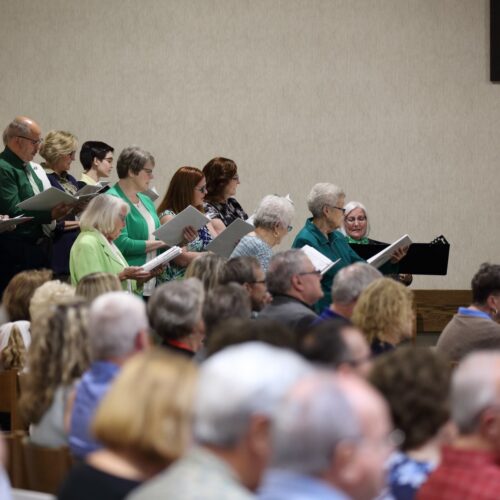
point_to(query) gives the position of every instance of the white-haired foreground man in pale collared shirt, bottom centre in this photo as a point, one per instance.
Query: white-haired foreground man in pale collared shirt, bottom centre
(237, 392)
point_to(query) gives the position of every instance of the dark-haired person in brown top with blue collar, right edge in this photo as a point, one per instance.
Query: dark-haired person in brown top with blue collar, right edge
(475, 327)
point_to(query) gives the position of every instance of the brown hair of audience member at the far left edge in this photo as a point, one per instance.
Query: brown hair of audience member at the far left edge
(19, 292)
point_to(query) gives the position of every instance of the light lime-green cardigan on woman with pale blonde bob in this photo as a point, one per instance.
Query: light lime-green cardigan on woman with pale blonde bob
(91, 253)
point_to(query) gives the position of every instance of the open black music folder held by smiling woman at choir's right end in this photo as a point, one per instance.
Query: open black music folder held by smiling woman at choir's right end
(422, 258)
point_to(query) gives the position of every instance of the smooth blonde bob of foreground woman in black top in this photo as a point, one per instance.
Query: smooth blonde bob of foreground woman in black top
(155, 423)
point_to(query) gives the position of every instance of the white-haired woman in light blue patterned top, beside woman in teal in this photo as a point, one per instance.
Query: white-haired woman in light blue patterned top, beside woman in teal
(272, 222)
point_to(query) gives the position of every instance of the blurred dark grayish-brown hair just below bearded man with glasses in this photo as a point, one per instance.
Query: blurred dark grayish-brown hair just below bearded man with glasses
(224, 302)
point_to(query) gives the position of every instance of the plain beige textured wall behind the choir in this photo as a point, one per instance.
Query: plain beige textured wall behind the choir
(389, 98)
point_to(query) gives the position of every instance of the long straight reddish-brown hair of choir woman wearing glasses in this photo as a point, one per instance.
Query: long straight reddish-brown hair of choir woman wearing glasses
(180, 190)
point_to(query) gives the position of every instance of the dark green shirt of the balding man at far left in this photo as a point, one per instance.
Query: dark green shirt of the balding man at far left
(14, 188)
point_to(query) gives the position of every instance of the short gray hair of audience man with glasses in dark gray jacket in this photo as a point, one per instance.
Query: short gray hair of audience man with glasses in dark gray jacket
(282, 267)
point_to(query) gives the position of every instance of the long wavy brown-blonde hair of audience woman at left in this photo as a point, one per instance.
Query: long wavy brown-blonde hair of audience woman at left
(58, 355)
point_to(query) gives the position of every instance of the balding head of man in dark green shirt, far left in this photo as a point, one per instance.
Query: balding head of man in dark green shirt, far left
(23, 137)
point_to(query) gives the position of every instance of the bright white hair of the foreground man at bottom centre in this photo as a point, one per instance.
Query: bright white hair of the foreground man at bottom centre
(238, 383)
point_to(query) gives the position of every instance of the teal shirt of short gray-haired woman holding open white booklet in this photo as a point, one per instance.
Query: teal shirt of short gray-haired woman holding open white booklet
(334, 247)
